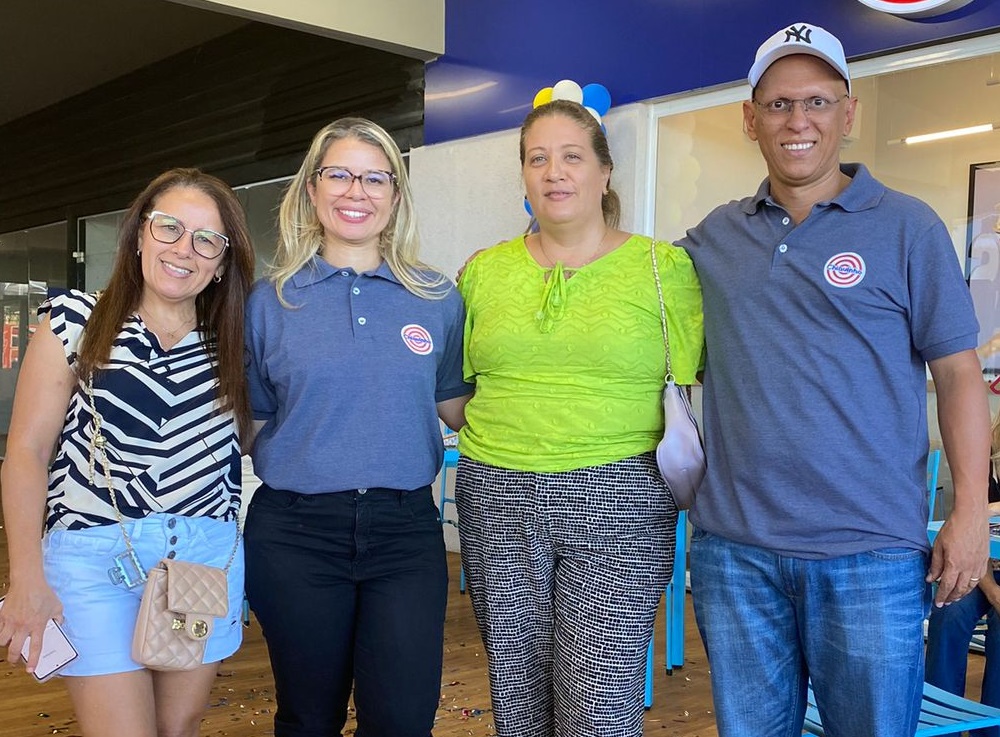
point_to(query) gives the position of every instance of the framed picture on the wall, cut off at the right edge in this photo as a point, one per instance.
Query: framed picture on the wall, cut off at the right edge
(983, 265)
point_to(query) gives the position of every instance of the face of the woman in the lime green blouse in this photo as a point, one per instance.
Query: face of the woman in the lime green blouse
(563, 177)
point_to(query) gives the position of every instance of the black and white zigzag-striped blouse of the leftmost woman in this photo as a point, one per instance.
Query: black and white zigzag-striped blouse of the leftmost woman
(169, 447)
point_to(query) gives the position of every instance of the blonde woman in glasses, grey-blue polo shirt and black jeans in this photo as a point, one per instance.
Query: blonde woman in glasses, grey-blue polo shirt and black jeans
(354, 352)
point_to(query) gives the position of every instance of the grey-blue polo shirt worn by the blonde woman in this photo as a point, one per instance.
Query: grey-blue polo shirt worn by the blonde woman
(348, 378)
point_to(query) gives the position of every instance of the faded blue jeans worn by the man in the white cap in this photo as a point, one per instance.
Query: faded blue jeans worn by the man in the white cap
(770, 623)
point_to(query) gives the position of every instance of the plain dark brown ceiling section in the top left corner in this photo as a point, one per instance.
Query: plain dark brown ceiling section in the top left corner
(53, 49)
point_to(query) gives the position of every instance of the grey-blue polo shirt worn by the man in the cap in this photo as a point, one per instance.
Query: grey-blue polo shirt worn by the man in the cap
(815, 408)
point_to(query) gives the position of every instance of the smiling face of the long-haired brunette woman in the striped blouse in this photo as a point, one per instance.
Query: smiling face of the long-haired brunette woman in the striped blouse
(173, 272)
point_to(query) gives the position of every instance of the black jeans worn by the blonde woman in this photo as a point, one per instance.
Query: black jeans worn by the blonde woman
(350, 587)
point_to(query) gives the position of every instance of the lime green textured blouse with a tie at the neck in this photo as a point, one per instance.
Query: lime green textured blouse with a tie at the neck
(569, 371)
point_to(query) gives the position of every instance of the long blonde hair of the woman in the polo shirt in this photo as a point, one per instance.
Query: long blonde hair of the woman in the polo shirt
(300, 233)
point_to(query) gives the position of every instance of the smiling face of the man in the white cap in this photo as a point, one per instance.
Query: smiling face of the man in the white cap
(802, 150)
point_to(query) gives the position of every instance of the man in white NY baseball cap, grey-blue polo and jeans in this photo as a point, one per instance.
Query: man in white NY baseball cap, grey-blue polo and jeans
(826, 297)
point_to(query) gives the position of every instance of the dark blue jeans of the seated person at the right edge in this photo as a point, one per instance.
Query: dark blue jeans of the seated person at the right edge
(948, 634)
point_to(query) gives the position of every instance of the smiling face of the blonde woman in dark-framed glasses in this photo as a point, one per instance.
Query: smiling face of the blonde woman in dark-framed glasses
(352, 218)
